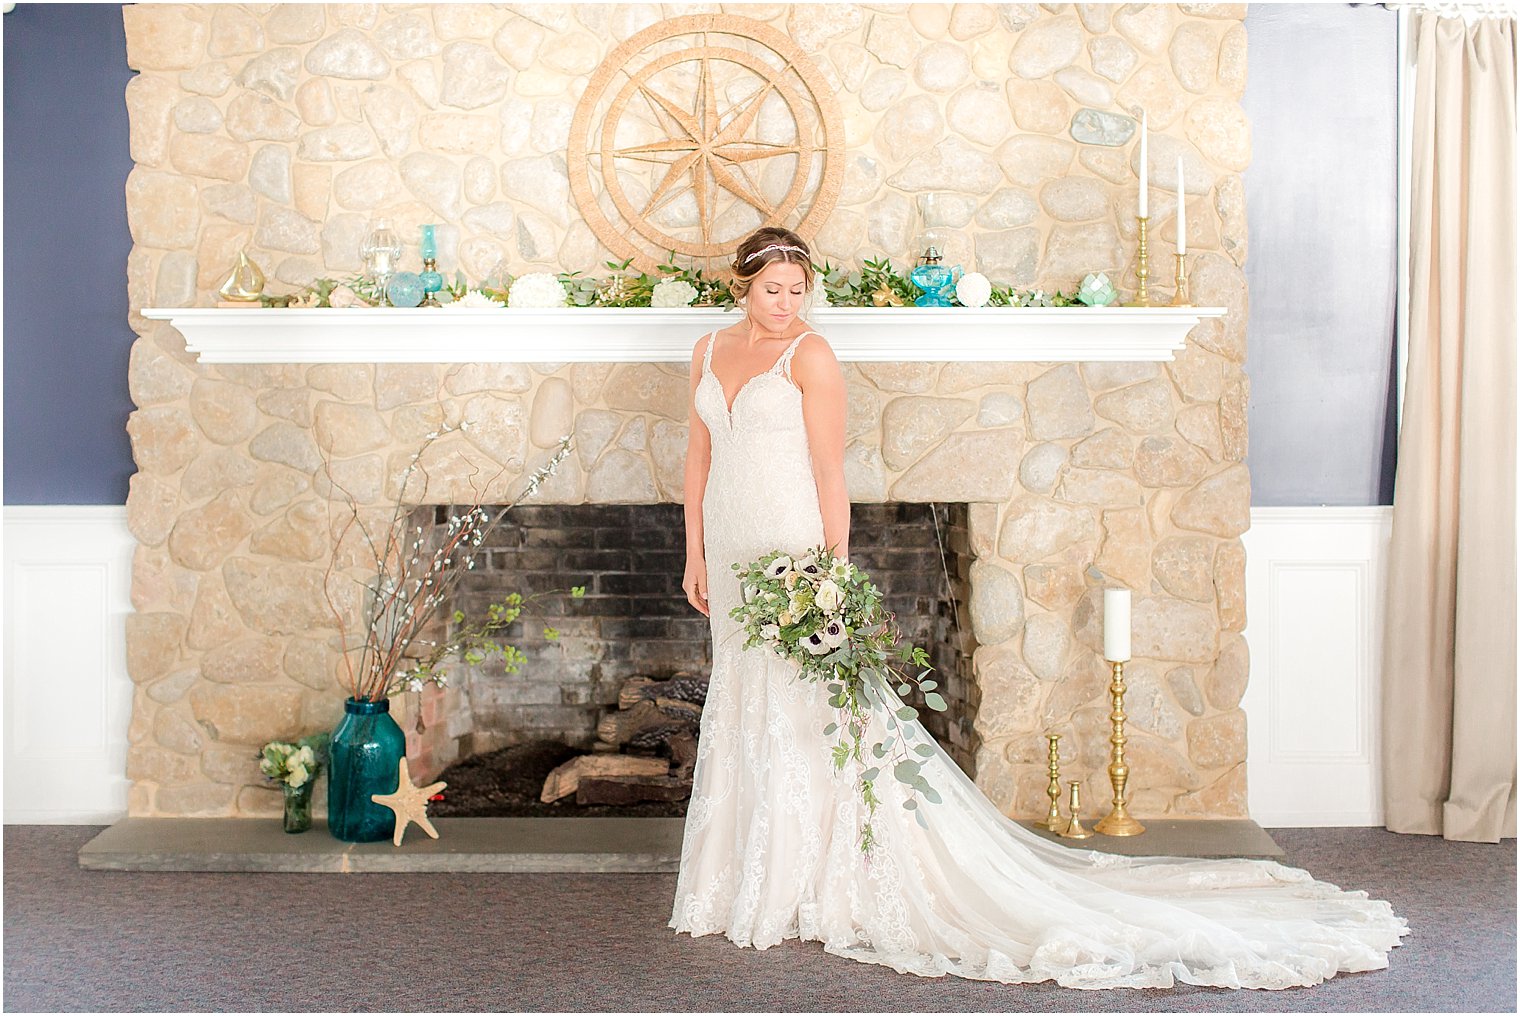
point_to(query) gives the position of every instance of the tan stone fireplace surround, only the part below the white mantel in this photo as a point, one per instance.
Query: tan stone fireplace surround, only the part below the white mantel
(1074, 477)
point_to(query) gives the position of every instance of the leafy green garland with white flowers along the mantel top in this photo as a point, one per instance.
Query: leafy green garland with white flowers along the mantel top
(876, 284)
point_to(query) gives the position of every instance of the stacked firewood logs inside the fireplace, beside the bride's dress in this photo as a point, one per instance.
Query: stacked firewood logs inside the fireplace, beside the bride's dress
(645, 751)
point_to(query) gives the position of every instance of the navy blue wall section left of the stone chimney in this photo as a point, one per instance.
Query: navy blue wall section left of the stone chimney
(66, 246)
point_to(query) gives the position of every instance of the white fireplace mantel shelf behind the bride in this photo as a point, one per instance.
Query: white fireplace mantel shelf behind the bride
(372, 335)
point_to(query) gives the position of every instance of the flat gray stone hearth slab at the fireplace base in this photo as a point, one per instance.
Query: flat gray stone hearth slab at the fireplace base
(527, 845)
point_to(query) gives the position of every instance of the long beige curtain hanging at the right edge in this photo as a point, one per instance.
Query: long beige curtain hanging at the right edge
(1449, 667)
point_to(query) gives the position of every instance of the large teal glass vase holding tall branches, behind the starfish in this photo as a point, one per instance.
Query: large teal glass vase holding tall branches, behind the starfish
(366, 758)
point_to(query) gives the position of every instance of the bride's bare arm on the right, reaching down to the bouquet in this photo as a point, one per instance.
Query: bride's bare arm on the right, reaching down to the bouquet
(825, 402)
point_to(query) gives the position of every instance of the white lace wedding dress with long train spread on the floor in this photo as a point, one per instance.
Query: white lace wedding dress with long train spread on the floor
(771, 846)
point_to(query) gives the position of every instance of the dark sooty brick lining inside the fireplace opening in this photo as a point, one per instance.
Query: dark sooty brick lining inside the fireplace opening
(635, 621)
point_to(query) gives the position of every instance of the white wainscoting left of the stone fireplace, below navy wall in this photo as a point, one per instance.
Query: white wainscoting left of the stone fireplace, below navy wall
(68, 696)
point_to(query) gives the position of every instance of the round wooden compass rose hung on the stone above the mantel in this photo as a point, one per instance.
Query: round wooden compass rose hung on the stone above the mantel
(700, 130)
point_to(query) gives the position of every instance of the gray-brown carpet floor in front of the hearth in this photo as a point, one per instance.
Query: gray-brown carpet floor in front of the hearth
(147, 941)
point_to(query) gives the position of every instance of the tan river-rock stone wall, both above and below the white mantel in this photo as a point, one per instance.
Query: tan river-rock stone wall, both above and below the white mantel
(282, 129)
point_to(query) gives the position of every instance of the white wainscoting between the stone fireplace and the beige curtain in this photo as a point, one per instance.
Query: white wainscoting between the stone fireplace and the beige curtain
(1314, 627)
